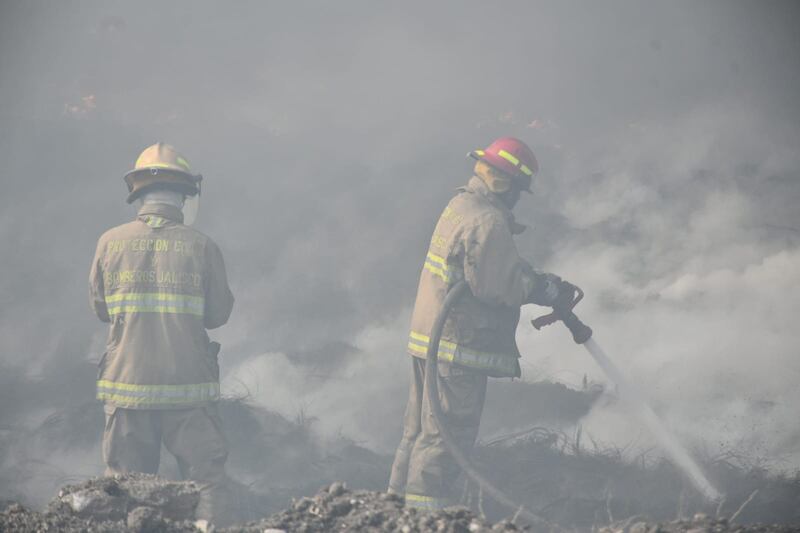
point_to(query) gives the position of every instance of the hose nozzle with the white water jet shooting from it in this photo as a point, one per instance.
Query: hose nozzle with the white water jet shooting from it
(628, 391)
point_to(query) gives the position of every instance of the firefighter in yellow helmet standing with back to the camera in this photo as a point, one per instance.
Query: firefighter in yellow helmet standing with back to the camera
(160, 285)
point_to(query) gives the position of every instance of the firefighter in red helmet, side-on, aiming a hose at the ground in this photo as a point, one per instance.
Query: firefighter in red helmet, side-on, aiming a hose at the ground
(472, 241)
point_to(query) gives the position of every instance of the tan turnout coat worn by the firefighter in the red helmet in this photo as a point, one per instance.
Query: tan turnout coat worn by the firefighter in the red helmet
(473, 240)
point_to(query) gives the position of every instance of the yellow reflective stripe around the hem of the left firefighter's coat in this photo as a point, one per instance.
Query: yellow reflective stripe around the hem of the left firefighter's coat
(156, 395)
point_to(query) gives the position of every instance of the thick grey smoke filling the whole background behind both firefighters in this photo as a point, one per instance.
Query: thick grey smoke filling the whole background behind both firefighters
(331, 135)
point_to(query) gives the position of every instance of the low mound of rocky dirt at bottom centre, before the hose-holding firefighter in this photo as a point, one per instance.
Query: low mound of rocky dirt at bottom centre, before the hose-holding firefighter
(337, 509)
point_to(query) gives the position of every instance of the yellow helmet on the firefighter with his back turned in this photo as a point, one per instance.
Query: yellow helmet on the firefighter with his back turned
(161, 166)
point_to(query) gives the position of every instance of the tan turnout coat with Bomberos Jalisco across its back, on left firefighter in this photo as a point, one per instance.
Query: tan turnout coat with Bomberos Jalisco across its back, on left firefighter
(160, 285)
